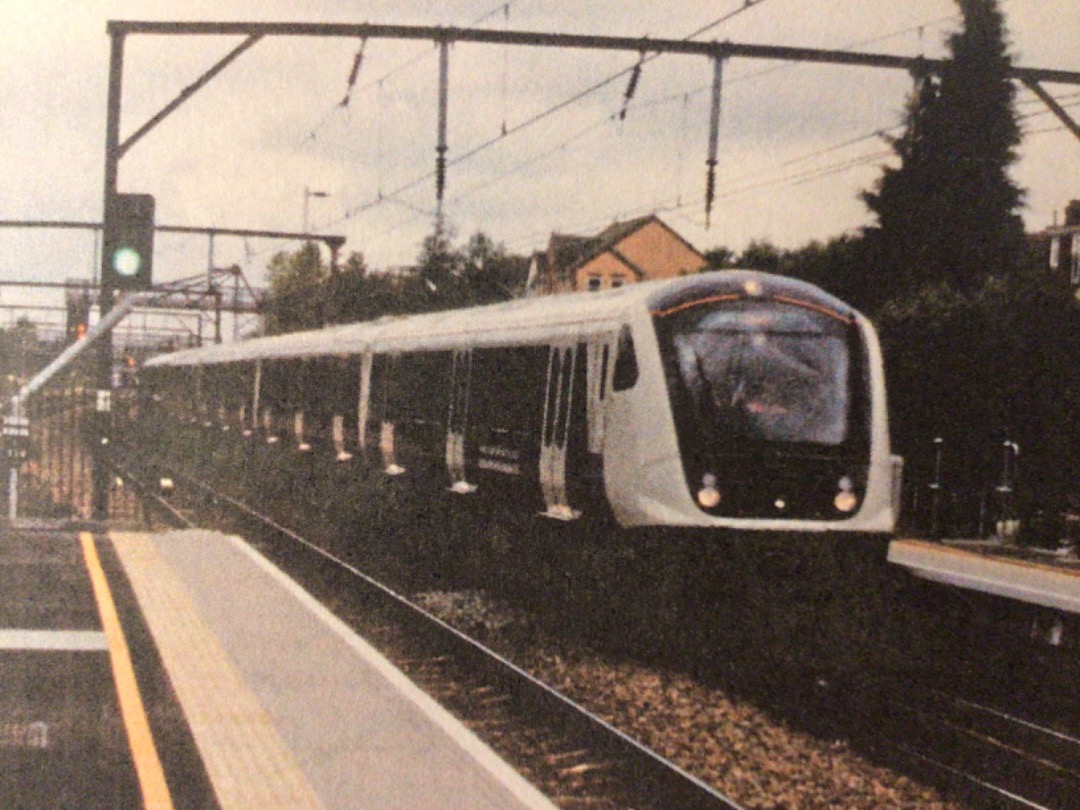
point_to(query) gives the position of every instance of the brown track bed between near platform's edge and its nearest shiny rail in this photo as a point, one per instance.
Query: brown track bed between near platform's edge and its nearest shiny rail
(577, 758)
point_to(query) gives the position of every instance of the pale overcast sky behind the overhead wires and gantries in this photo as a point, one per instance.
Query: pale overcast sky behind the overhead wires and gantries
(796, 143)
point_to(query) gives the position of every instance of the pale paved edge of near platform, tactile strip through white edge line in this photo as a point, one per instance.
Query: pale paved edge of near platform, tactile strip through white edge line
(290, 708)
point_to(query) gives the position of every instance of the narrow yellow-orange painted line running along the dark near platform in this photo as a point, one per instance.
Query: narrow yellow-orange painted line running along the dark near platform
(152, 777)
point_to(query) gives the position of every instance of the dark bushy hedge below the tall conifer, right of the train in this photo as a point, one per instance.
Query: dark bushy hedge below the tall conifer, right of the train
(979, 371)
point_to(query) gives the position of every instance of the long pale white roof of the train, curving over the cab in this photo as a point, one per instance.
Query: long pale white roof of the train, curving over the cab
(536, 320)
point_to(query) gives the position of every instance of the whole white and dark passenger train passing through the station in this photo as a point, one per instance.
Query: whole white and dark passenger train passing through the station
(728, 400)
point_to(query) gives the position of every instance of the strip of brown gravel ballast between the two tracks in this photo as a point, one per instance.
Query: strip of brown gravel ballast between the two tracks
(741, 749)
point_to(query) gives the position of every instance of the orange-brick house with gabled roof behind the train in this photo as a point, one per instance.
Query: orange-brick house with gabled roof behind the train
(624, 253)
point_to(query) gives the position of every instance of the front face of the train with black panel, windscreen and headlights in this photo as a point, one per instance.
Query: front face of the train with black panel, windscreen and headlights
(778, 406)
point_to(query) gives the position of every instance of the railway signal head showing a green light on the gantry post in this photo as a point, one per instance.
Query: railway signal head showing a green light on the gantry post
(129, 242)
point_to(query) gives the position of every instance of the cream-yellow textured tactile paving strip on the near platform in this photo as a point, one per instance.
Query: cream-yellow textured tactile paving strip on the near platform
(248, 762)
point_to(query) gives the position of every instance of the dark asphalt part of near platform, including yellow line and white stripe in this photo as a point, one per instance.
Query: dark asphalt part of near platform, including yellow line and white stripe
(74, 724)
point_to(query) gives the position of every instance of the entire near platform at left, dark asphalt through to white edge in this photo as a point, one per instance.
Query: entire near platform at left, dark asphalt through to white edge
(184, 670)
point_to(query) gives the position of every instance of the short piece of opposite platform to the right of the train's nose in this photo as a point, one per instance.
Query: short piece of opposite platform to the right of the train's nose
(1016, 573)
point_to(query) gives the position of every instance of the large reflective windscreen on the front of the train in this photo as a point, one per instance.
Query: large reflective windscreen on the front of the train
(761, 372)
